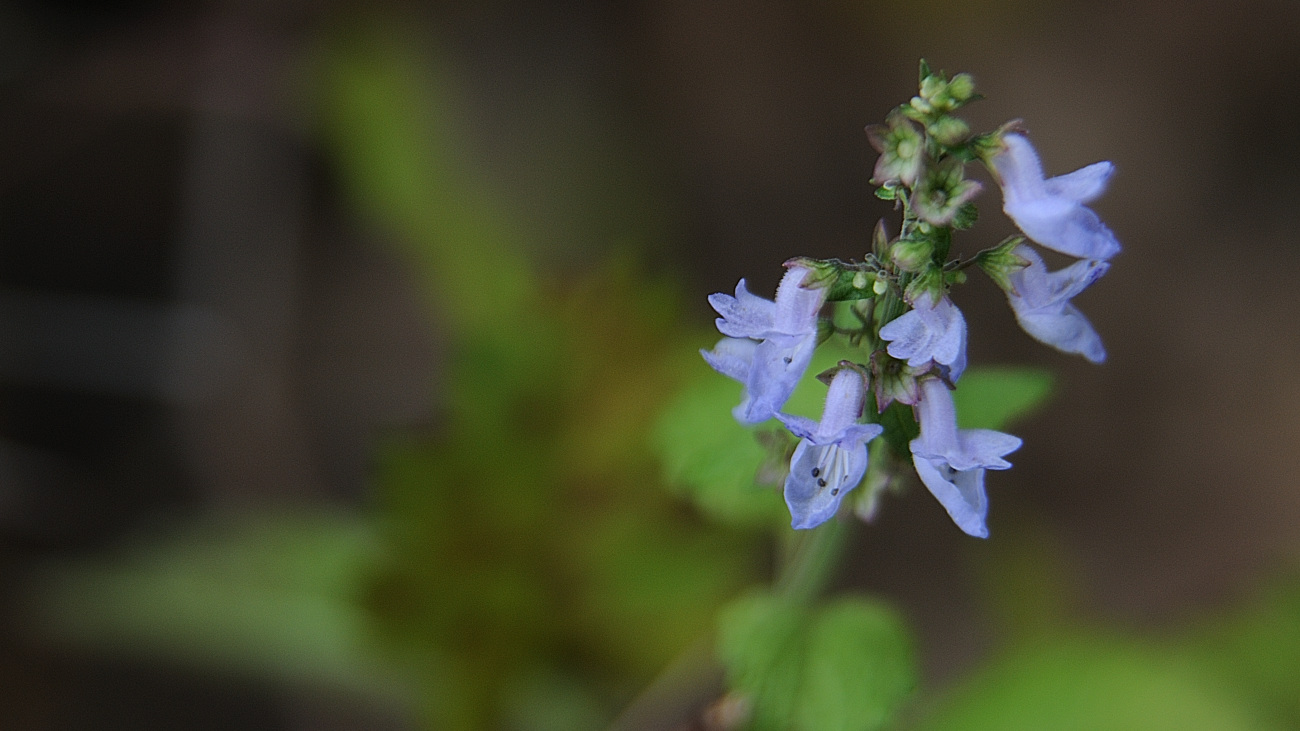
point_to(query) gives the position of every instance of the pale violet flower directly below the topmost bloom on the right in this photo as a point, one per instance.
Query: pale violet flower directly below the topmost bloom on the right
(1042, 304)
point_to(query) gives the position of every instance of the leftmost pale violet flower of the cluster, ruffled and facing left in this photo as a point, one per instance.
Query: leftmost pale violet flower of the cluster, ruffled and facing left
(769, 345)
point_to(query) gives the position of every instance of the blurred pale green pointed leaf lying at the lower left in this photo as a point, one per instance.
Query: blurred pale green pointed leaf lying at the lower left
(270, 598)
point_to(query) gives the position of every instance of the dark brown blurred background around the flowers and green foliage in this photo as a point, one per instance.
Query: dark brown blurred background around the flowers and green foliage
(197, 321)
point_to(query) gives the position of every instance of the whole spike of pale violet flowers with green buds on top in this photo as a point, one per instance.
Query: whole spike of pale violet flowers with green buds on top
(912, 335)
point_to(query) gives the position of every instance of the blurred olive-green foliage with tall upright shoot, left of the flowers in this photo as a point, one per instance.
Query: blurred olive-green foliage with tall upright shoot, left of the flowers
(531, 540)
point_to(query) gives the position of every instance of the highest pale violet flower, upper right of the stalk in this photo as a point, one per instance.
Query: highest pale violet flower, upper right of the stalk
(1052, 213)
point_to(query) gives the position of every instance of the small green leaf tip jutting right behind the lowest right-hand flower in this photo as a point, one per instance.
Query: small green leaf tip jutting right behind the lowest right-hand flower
(995, 397)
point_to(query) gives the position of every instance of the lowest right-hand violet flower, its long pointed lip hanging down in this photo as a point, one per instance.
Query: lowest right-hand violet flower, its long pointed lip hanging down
(952, 462)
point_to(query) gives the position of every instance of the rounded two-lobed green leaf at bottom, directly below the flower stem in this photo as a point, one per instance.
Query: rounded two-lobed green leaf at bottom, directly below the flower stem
(847, 667)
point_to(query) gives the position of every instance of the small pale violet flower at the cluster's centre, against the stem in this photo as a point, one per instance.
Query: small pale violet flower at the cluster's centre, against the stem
(930, 332)
